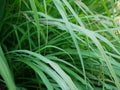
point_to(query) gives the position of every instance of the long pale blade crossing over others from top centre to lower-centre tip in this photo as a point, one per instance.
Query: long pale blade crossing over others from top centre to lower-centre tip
(69, 28)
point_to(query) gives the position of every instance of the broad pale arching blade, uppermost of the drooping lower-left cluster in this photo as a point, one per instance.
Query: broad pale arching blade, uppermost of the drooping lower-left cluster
(55, 67)
